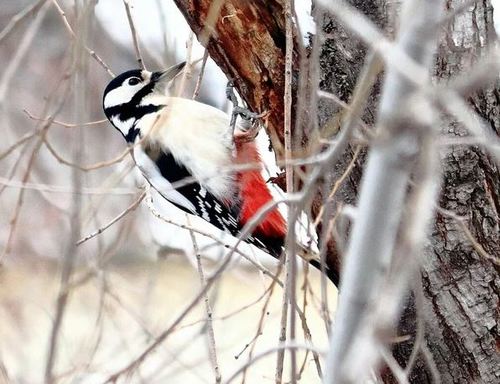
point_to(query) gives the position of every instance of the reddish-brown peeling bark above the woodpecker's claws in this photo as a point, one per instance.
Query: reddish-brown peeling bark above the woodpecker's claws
(248, 42)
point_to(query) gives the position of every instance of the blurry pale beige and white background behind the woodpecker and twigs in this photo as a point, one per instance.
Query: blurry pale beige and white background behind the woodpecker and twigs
(122, 295)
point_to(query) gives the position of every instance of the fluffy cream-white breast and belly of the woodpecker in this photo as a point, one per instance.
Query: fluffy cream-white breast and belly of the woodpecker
(197, 137)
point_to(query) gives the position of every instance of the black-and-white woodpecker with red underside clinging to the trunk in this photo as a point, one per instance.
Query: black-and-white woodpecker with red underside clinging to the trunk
(185, 150)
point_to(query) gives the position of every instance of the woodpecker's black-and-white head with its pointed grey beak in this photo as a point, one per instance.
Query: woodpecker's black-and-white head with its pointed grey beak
(127, 98)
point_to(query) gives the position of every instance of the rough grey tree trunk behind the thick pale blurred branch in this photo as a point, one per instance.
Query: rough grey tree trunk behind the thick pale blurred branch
(461, 287)
